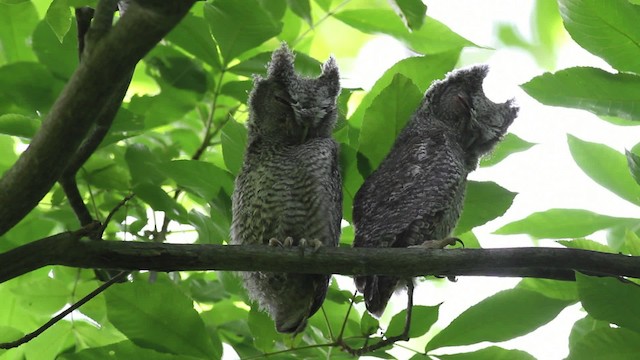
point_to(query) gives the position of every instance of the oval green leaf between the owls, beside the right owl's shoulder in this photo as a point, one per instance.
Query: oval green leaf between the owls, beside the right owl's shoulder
(386, 117)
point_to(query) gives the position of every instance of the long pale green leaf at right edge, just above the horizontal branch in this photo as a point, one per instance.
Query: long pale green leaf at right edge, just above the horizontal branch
(563, 223)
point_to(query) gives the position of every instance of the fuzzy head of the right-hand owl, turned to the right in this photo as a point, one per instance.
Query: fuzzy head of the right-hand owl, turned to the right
(460, 103)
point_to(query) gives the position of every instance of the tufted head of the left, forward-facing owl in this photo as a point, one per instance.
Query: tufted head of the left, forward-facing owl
(291, 109)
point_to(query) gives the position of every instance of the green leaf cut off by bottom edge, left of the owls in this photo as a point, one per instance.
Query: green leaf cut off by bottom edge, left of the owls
(124, 350)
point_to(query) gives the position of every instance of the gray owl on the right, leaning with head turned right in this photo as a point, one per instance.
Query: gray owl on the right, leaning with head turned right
(415, 196)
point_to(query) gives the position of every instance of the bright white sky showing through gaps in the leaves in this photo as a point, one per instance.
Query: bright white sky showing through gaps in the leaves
(544, 176)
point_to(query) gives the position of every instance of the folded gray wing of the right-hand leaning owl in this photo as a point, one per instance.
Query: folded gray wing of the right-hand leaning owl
(419, 180)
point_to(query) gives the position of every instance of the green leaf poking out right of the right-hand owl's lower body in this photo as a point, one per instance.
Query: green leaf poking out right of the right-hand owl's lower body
(483, 202)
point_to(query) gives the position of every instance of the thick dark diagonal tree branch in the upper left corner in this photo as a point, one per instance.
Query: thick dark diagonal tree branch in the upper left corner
(104, 67)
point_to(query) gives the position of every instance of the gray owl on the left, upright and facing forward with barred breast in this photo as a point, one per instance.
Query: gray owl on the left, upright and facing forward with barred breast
(288, 192)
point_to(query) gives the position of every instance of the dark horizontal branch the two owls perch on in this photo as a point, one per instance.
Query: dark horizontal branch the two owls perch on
(73, 249)
